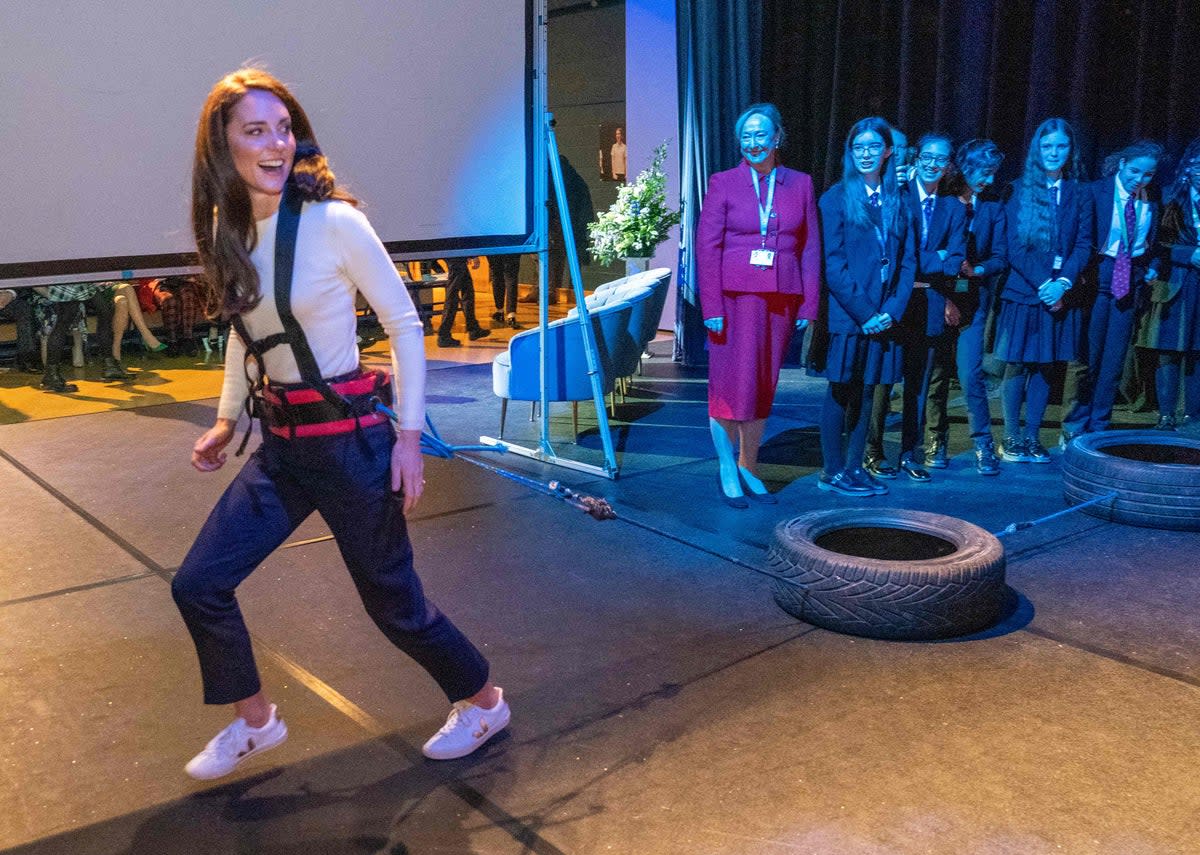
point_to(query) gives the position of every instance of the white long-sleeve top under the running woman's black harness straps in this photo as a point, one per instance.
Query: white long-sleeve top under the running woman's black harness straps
(338, 255)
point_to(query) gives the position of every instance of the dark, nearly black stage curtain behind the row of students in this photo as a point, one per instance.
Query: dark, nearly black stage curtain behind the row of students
(1115, 69)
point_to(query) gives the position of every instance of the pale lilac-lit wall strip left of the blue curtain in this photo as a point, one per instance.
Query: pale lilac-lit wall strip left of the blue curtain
(652, 110)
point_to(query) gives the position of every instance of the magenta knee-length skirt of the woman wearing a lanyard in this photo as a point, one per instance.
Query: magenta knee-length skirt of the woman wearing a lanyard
(745, 361)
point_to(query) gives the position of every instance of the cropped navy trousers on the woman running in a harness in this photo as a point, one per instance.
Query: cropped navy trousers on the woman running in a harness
(346, 479)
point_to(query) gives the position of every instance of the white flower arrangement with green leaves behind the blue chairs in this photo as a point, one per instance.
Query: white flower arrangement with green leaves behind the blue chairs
(640, 218)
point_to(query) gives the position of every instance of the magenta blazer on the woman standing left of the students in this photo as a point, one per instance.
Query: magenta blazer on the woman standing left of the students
(729, 232)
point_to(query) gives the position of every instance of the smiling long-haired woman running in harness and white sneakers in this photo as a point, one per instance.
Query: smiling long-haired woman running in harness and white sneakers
(267, 210)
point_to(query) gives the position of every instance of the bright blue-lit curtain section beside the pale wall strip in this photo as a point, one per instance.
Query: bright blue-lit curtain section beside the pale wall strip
(719, 45)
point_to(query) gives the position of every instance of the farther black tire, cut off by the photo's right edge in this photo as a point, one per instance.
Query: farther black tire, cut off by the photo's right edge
(1154, 495)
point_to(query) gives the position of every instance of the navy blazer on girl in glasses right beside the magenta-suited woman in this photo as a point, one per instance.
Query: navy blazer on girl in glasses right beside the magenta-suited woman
(853, 267)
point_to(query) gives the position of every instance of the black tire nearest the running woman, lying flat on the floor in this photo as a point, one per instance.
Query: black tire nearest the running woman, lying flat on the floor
(939, 597)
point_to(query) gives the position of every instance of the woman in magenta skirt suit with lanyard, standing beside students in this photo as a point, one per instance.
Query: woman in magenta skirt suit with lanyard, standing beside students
(759, 271)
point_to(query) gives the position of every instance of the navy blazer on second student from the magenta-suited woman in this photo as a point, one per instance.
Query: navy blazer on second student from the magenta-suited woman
(947, 231)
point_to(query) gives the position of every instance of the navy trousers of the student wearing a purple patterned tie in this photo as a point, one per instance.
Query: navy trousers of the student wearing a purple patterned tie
(1091, 385)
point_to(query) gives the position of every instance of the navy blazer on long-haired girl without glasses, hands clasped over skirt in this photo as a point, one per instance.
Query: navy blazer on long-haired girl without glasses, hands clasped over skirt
(1030, 267)
